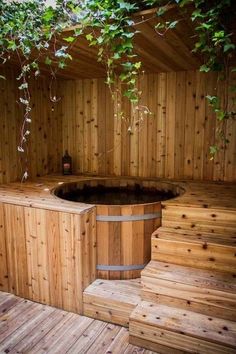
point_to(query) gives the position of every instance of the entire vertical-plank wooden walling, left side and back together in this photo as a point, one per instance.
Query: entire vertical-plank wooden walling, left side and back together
(172, 142)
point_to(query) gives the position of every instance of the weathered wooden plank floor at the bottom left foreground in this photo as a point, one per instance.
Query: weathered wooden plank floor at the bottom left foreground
(28, 327)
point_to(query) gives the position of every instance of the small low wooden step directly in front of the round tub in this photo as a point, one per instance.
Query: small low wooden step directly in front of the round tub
(112, 300)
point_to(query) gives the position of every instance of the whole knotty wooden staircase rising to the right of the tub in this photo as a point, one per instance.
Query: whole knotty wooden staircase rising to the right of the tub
(189, 287)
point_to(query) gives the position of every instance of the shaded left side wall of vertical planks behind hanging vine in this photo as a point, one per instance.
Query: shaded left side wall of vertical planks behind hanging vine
(45, 141)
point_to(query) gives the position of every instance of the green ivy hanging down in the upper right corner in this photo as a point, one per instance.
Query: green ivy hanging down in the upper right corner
(215, 40)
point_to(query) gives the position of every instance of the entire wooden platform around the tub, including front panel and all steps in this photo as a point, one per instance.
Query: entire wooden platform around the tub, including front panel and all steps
(191, 275)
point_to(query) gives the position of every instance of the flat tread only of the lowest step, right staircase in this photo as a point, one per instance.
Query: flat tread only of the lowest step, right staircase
(186, 323)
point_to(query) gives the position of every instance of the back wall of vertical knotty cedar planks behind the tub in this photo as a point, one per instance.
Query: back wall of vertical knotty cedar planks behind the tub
(172, 143)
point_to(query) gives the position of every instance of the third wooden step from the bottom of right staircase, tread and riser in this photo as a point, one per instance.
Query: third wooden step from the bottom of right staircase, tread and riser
(194, 249)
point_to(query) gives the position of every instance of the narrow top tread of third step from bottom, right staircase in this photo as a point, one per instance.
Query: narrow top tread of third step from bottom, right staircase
(194, 236)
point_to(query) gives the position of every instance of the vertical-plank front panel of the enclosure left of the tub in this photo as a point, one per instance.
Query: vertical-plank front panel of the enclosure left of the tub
(50, 255)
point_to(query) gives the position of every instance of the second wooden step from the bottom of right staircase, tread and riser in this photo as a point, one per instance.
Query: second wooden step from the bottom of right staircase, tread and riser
(208, 292)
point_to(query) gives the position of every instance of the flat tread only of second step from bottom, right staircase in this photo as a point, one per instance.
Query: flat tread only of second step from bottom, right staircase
(202, 278)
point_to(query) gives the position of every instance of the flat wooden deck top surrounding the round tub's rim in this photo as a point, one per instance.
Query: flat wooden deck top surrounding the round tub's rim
(200, 194)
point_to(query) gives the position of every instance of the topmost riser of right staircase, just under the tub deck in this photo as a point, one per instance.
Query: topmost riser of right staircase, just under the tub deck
(211, 220)
